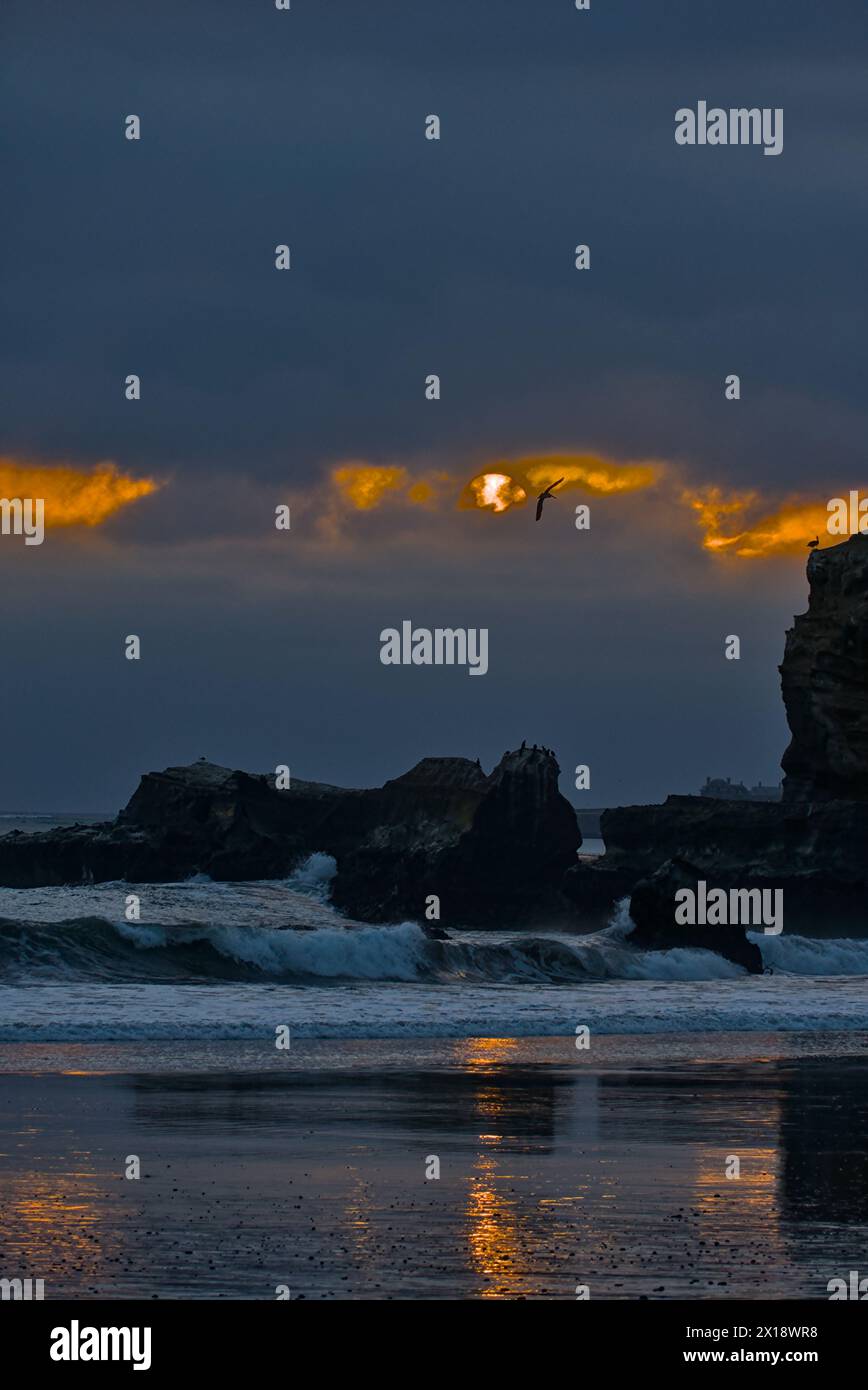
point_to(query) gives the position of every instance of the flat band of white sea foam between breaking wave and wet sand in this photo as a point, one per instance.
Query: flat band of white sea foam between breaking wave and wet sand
(119, 1013)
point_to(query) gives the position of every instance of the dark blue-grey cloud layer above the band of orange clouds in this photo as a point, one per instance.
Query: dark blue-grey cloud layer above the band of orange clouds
(410, 256)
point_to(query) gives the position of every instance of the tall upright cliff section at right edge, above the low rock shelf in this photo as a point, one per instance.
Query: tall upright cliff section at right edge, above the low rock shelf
(824, 680)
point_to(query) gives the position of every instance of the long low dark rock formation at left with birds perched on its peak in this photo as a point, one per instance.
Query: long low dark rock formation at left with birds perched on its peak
(493, 849)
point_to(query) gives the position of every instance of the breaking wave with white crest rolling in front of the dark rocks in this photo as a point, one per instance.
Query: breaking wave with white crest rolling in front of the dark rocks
(198, 953)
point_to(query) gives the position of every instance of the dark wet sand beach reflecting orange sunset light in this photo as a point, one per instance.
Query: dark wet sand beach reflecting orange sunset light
(554, 1171)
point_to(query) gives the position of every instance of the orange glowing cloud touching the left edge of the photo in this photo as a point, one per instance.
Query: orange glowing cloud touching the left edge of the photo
(73, 497)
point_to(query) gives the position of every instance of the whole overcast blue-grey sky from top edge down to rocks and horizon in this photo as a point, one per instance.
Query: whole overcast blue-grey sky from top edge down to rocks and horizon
(410, 258)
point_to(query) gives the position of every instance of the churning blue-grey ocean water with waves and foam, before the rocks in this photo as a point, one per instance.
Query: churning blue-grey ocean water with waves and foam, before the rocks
(216, 963)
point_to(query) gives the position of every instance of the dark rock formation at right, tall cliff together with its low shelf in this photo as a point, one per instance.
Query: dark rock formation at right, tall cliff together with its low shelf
(814, 844)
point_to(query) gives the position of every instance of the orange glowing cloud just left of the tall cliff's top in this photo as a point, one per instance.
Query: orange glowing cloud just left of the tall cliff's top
(728, 528)
